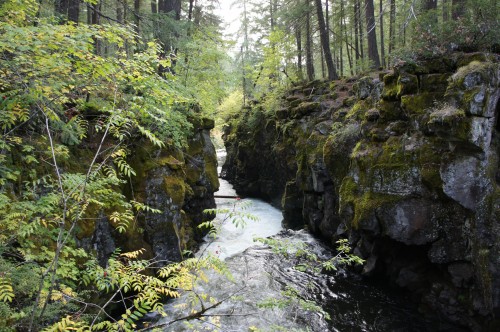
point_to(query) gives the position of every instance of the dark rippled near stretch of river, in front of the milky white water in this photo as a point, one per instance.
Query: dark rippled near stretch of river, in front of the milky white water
(267, 291)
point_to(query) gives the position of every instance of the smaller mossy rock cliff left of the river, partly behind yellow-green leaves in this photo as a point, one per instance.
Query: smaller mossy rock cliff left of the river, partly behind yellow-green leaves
(179, 183)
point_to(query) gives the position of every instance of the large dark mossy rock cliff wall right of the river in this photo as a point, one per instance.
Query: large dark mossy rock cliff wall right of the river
(404, 163)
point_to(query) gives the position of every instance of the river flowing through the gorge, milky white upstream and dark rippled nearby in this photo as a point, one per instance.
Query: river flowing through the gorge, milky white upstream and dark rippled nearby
(257, 298)
